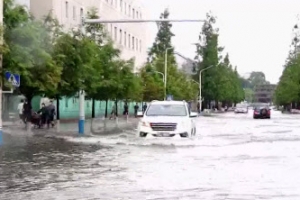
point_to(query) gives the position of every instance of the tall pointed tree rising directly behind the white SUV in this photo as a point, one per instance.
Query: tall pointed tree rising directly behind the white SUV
(178, 84)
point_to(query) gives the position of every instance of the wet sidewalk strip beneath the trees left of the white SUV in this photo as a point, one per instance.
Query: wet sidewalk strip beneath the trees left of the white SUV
(99, 126)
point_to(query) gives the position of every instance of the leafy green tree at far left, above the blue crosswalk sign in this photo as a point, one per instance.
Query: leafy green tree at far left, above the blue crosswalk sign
(29, 51)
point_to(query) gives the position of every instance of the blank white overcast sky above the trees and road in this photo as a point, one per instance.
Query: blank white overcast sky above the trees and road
(256, 33)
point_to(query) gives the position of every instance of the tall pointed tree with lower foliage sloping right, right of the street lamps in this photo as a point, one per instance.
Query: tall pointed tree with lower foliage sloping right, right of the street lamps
(220, 82)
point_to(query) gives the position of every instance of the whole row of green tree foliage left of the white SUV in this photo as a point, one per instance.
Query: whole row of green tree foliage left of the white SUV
(55, 63)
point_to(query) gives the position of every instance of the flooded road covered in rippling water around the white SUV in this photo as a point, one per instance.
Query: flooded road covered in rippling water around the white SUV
(233, 157)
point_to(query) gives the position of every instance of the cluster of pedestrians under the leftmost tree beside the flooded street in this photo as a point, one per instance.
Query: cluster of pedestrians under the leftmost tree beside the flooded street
(45, 115)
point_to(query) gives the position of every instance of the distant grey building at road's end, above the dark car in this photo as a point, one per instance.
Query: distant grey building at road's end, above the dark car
(264, 93)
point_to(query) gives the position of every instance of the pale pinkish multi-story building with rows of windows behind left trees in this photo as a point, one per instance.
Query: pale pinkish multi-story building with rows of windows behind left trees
(130, 38)
